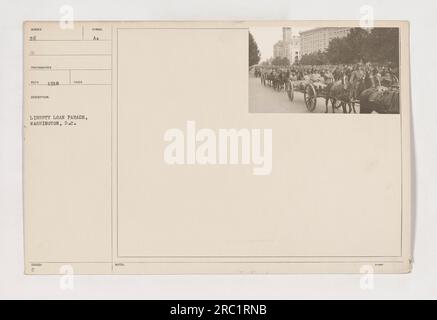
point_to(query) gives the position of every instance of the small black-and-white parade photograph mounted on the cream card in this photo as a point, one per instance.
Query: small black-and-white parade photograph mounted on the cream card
(324, 70)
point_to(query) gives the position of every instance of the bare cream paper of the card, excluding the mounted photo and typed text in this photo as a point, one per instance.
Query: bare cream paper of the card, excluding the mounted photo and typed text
(337, 199)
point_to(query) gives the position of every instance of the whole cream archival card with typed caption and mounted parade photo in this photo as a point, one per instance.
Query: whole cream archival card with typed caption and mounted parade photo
(204, 147)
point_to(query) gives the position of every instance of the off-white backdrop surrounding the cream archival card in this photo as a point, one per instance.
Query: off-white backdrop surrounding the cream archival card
(419, 284)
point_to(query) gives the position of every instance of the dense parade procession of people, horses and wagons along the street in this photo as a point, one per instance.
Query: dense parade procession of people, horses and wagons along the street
(375, 86)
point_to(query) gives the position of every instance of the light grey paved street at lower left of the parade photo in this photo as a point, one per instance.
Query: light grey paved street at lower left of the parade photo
(263, 99)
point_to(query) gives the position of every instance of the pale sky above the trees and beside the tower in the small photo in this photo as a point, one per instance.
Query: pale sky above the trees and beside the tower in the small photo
(266, 37)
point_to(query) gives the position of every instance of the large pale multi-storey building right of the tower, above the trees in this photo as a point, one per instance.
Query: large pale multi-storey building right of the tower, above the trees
(316, 40)
